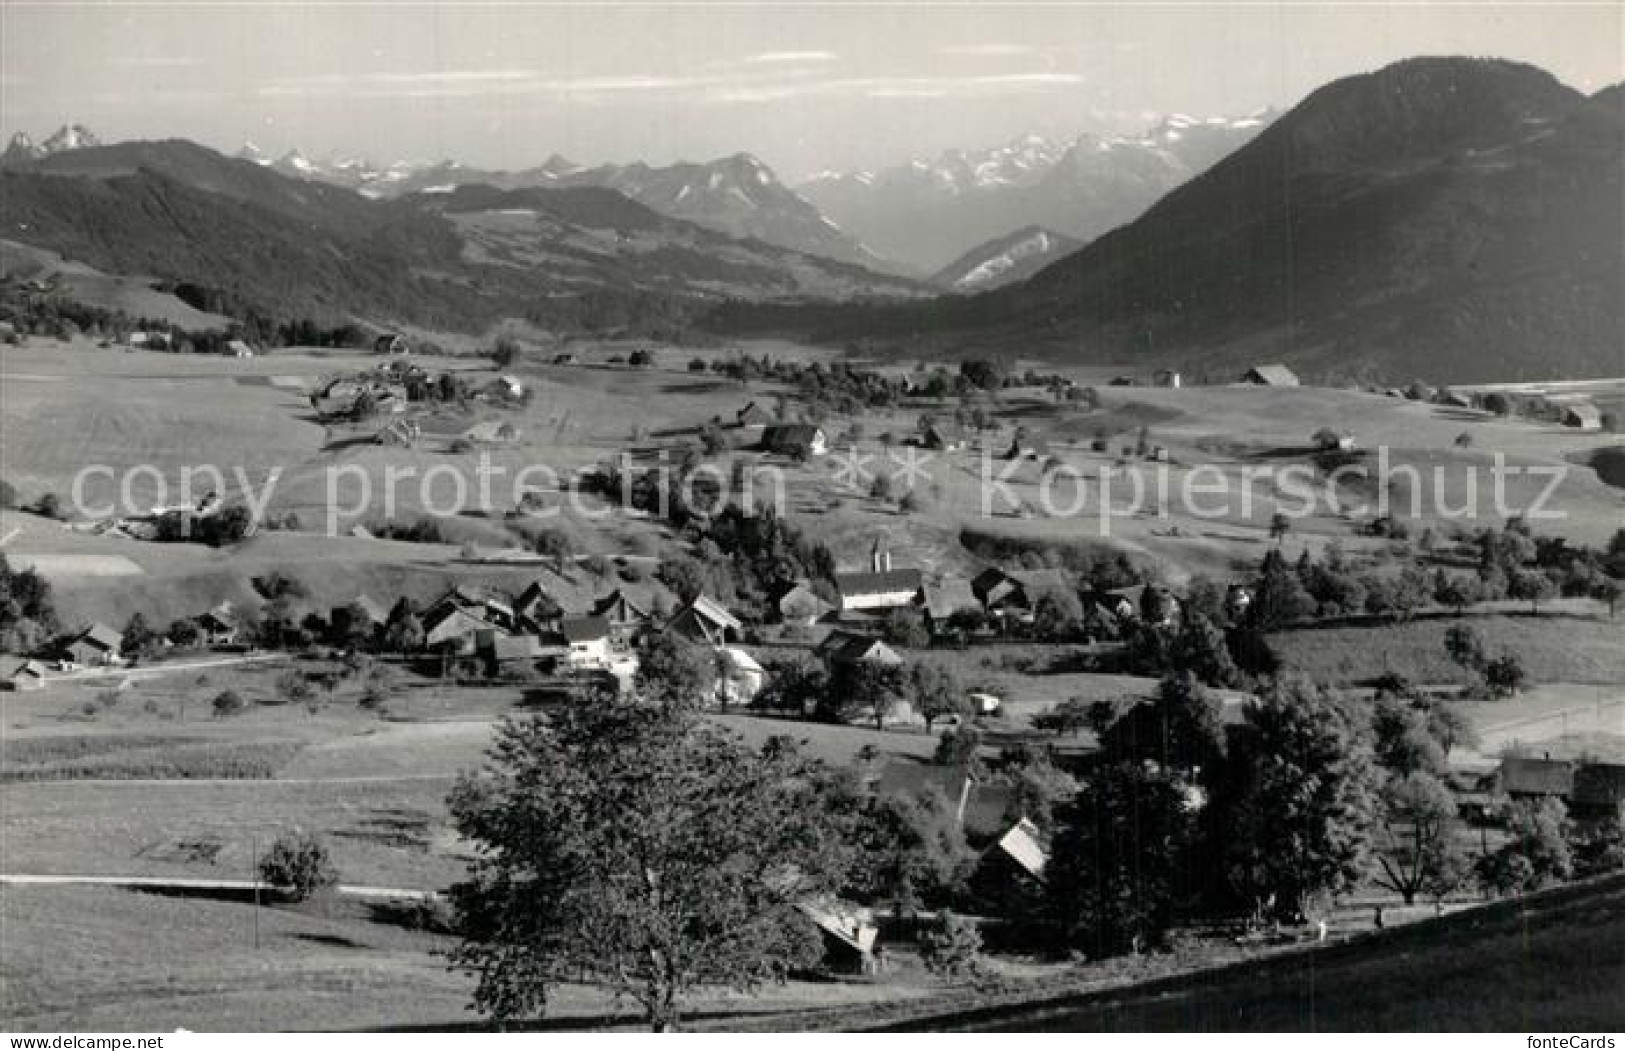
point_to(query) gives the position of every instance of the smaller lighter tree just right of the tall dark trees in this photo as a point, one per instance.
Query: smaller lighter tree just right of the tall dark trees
(1419, 850)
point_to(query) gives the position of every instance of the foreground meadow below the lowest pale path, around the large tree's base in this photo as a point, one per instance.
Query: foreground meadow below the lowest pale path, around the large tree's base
(113, 961)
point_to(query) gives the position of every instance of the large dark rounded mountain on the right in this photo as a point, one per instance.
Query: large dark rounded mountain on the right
(1444, 218)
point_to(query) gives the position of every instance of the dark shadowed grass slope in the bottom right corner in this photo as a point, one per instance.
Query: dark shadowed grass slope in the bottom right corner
(1554, 964)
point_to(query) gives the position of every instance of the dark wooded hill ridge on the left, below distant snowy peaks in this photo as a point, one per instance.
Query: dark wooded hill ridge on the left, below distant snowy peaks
(246, 240)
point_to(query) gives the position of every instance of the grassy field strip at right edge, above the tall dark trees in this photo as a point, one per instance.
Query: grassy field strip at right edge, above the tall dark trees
(1553, 649)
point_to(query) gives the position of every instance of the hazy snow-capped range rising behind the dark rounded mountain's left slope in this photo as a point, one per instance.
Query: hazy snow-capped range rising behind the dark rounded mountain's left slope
(930, 212)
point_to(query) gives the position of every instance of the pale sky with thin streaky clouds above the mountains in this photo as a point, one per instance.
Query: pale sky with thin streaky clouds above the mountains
(804, 87)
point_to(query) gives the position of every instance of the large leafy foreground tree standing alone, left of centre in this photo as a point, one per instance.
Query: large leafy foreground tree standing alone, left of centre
(636, 847)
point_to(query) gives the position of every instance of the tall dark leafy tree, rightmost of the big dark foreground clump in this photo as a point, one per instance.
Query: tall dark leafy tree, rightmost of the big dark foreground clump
(1306, 805)
